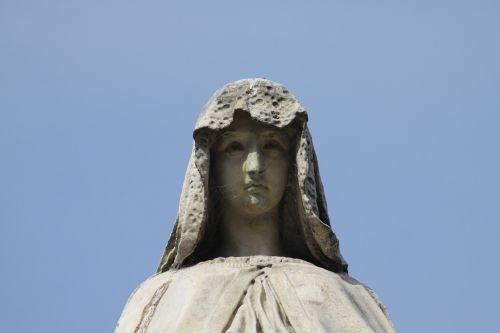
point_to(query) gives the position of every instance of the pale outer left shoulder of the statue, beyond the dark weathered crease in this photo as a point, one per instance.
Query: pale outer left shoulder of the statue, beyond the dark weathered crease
(147, 292)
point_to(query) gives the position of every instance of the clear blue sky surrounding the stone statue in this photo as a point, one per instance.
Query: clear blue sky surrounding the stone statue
(98, 99)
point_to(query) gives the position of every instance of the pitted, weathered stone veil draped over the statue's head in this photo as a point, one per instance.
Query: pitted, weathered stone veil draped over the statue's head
(304, 209)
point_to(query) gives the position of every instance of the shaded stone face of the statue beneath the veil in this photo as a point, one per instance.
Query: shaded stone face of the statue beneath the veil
(250, 164)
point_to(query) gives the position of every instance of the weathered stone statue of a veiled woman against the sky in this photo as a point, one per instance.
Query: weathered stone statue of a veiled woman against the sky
(252, 248)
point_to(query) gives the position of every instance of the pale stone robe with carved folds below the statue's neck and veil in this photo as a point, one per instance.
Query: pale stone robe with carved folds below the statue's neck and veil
(250, 295)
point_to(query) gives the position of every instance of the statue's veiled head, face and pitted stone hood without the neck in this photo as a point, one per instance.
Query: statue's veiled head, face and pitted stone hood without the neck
(253, 153)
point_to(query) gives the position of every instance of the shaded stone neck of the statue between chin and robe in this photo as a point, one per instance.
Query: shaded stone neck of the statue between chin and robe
(249, 235)
